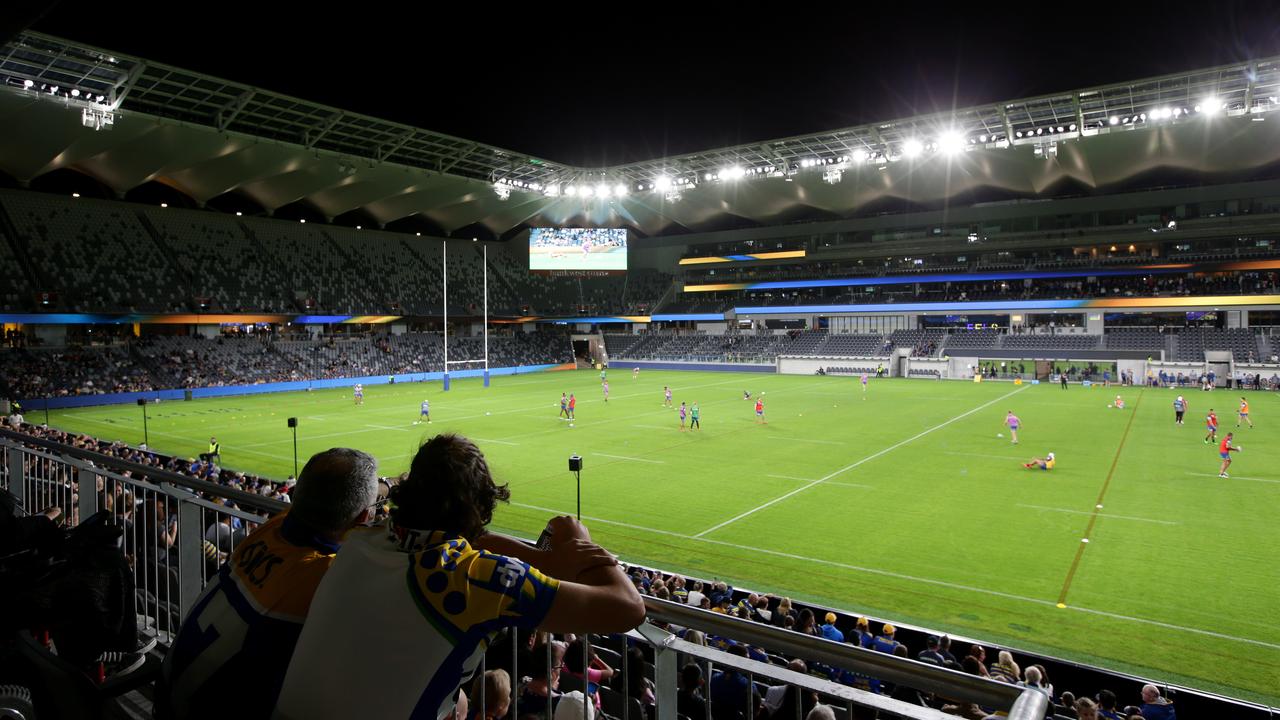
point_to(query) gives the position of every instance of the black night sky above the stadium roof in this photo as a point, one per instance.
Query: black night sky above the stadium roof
(609, 84)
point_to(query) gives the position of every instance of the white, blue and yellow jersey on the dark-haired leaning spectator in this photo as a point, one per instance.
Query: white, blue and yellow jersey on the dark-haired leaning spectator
(422, 607)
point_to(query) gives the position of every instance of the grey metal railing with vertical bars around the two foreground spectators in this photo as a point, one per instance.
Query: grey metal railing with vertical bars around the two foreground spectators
(175, 540)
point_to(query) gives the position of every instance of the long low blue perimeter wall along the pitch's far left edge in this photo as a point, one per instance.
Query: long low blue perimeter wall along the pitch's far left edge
(227, 391)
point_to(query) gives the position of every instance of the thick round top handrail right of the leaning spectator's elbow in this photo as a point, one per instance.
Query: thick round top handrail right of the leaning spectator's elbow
(912, 673)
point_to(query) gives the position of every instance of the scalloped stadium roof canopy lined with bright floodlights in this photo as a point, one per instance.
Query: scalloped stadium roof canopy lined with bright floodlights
(127, 121)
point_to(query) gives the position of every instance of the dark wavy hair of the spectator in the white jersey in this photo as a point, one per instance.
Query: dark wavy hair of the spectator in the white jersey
(449, 489)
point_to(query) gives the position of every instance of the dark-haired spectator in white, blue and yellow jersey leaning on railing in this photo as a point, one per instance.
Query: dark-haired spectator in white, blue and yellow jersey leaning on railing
(431, 634)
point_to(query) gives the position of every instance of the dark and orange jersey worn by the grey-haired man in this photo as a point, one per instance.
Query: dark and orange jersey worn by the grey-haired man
(243, 631)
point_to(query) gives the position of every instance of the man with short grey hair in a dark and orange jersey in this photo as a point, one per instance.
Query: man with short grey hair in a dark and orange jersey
(249, 619)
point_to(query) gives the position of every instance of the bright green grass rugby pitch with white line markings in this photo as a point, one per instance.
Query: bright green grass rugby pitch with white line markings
(902, 504)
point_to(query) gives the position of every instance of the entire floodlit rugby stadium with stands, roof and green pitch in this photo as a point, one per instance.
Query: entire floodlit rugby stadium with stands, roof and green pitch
(936, 414)
